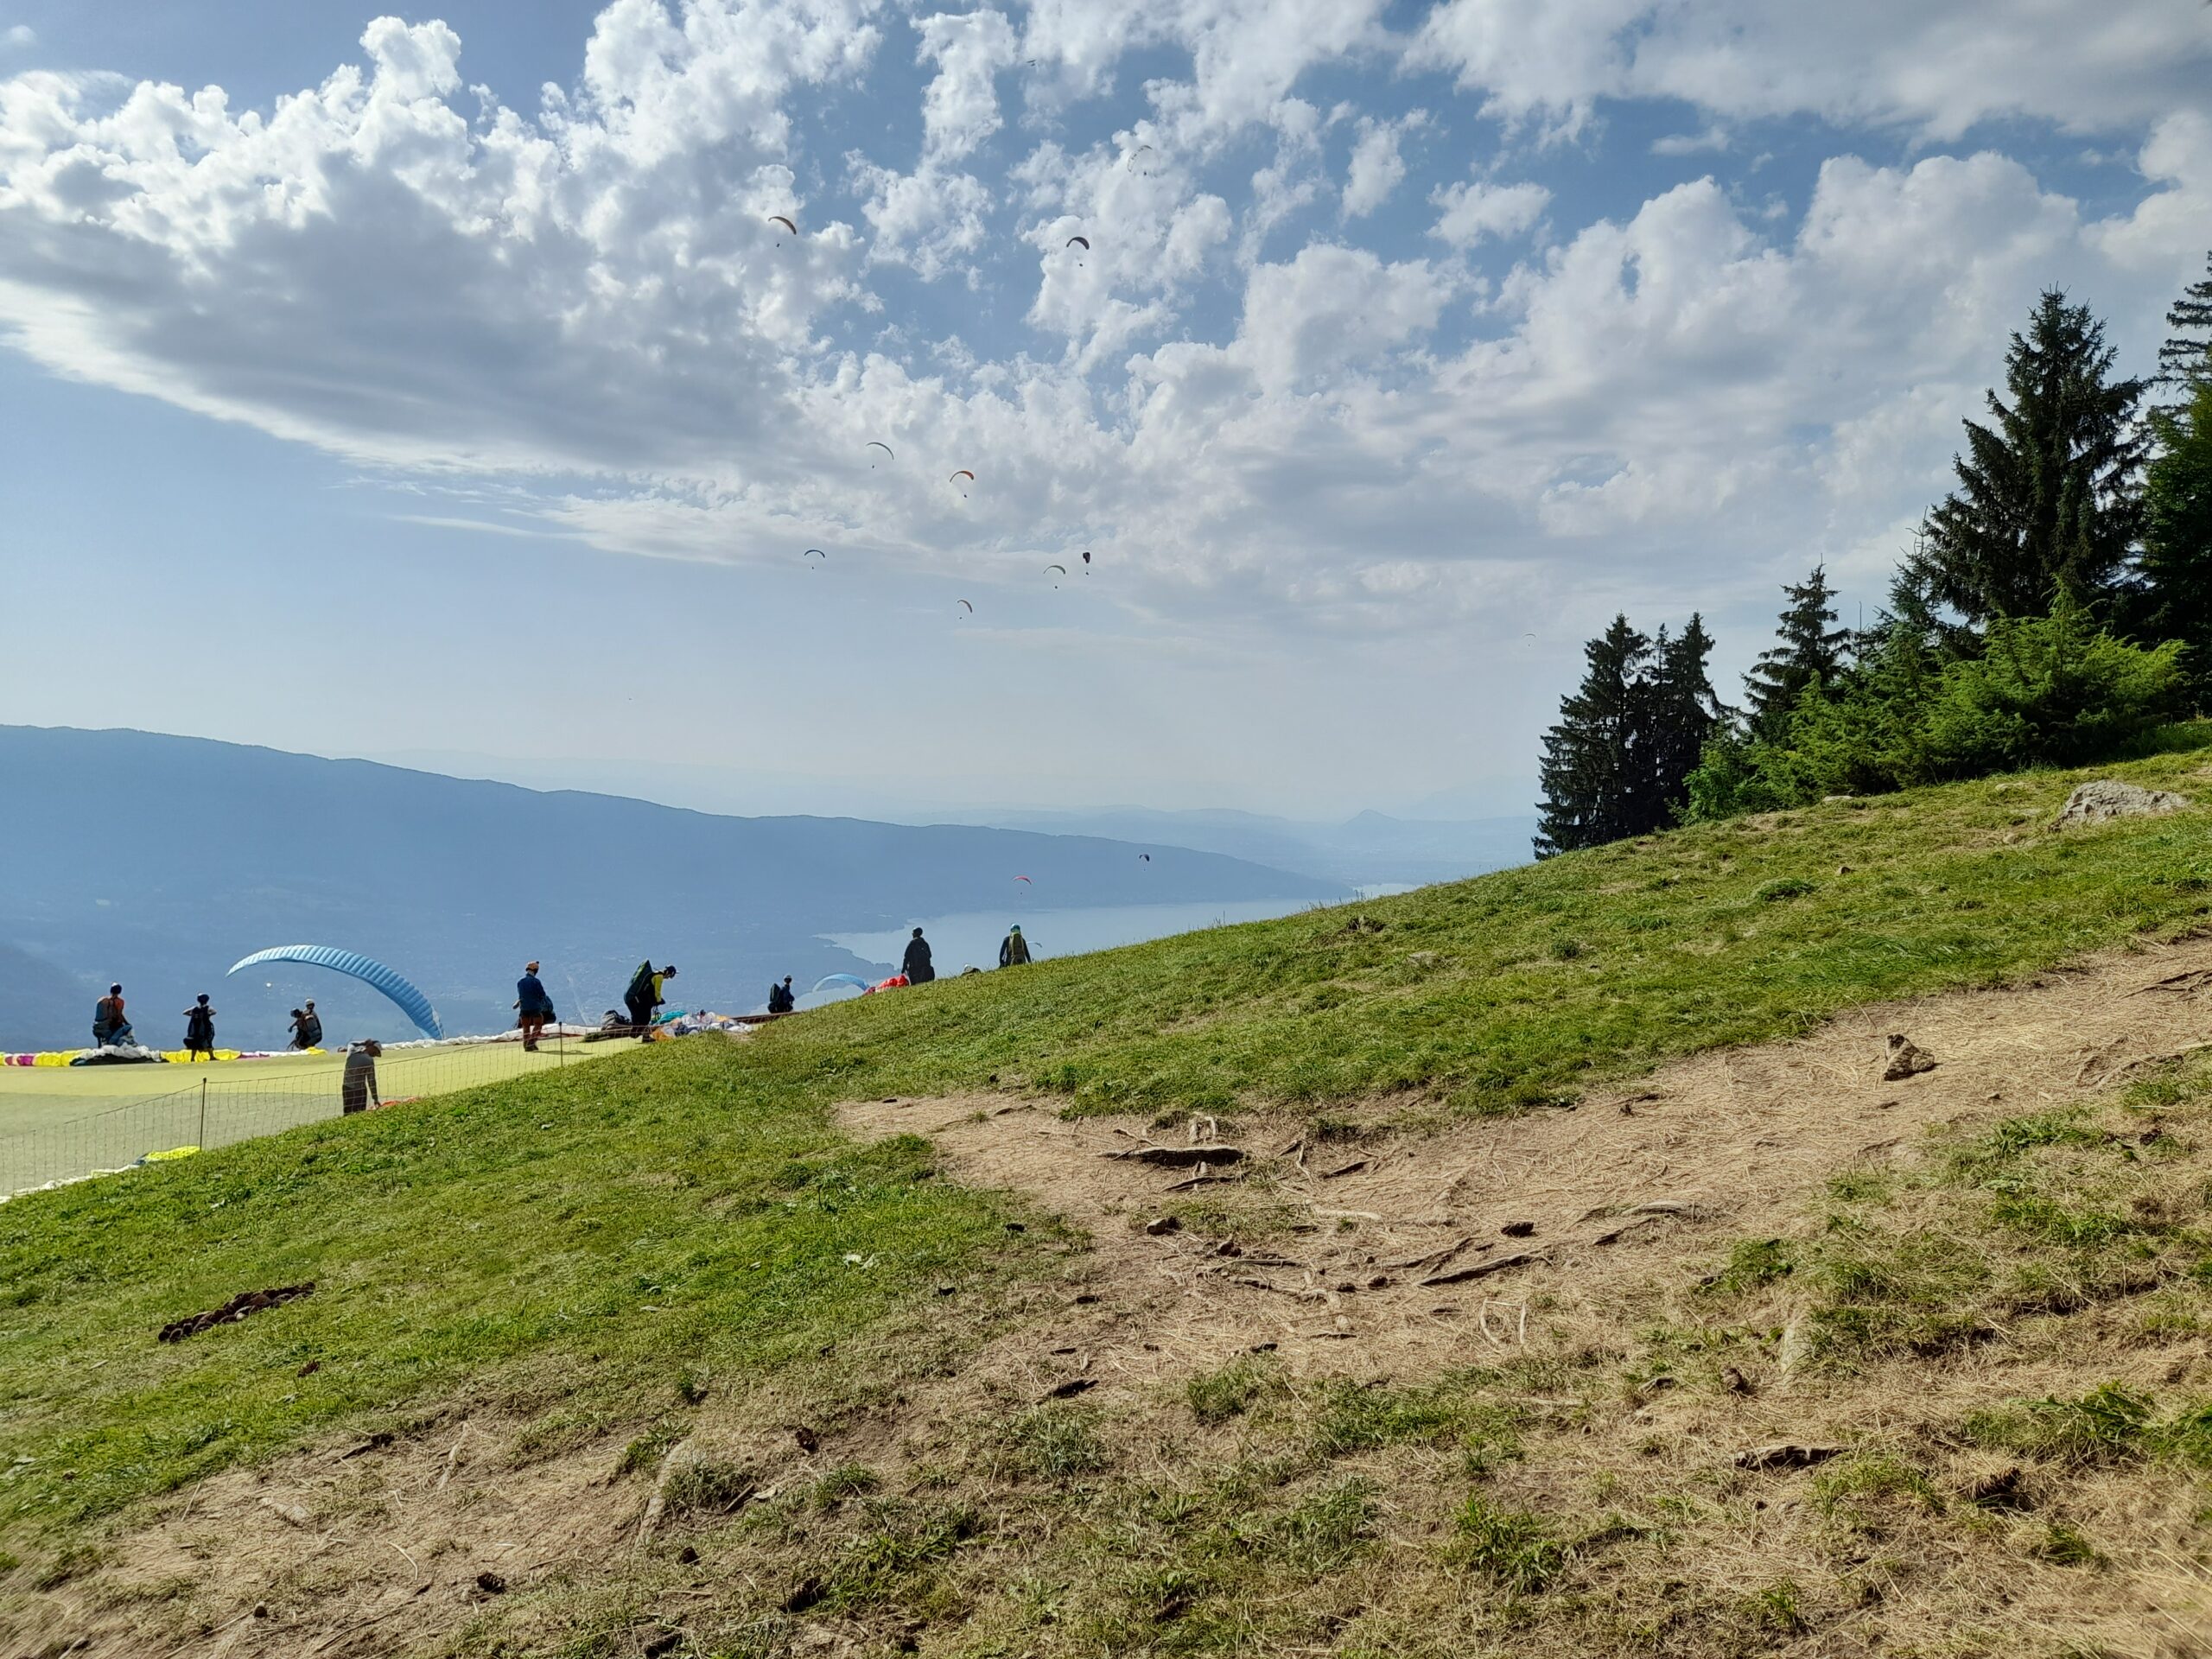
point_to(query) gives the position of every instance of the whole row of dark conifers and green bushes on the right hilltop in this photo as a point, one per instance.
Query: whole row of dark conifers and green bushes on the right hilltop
(2052, 612)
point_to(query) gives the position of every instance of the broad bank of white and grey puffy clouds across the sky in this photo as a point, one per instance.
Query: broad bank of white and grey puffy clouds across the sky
(1258, 415)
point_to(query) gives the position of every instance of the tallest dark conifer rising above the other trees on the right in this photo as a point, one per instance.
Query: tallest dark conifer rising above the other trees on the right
(2047, 501)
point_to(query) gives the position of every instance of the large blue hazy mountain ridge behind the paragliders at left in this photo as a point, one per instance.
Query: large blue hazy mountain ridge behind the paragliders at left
(163, 859)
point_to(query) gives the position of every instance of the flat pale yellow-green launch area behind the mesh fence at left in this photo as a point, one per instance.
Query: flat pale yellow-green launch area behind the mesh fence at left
(240, 1103)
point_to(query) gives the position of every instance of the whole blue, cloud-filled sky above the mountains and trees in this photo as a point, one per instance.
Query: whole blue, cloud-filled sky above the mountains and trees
(444, 384)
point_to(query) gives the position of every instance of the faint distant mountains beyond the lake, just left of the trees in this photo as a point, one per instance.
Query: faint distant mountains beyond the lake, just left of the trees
(1364, 851)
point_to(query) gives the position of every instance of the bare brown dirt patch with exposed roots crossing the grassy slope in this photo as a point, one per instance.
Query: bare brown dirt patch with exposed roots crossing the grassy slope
(1713, 1147)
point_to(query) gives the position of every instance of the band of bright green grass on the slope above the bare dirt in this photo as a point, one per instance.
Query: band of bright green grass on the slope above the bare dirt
(559, 1242)
